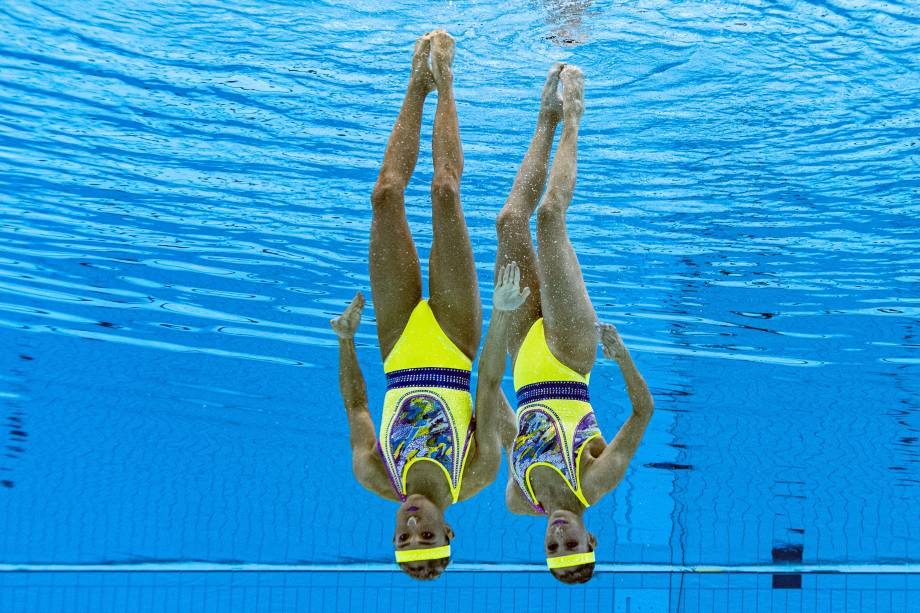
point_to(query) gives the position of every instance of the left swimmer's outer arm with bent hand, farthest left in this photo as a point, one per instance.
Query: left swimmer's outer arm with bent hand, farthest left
(366, 462)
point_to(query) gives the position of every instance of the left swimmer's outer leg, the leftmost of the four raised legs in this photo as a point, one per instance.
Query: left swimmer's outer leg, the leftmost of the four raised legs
(396, 279)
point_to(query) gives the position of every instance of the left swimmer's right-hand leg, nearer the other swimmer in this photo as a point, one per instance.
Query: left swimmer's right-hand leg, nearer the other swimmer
(452, 273)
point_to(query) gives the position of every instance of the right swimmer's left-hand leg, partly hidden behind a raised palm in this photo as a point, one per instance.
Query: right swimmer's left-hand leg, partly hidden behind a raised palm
(513, 222)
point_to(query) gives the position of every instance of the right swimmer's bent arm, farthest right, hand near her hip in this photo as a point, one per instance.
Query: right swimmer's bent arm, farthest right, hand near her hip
(606, 472)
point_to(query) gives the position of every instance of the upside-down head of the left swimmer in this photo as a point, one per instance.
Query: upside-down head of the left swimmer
(420, 525)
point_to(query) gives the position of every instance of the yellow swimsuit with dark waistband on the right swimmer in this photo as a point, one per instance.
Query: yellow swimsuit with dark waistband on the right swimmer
(554, 417)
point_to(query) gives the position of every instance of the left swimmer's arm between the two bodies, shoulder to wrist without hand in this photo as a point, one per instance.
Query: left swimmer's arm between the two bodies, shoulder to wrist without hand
(490, 408)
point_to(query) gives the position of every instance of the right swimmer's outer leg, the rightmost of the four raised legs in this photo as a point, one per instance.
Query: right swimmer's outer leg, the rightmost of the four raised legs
(569, 316)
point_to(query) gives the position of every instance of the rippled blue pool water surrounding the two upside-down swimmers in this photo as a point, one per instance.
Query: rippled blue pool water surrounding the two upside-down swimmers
(184, 203)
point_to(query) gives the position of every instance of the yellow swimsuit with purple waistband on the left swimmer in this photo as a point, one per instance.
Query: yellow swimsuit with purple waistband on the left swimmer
(427, 411)
